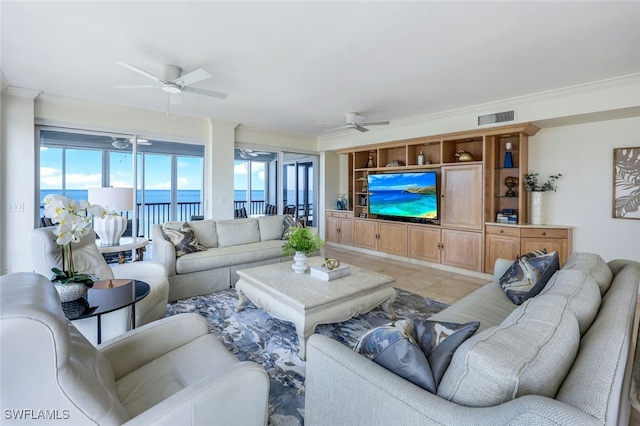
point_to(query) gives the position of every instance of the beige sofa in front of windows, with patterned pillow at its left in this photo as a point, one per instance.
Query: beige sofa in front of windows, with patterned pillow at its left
(231, 245)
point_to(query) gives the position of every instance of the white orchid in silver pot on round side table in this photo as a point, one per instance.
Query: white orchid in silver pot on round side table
(73, 221)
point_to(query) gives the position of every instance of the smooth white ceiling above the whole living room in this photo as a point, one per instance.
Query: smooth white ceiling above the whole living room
(289, 65)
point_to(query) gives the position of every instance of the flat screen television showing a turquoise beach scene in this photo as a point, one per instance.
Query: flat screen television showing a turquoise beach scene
(404, 195)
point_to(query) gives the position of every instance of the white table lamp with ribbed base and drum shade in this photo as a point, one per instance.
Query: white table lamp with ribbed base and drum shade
(115, 200)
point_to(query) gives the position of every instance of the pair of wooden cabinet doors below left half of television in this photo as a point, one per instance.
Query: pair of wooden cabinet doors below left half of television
(383, 236)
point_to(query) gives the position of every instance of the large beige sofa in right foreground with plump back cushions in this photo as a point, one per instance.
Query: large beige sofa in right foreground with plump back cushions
(563, 357)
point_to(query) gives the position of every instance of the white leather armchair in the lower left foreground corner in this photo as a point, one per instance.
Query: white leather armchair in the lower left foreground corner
(168, 372)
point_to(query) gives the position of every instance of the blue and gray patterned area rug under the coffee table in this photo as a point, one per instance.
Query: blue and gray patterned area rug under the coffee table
(253, 335)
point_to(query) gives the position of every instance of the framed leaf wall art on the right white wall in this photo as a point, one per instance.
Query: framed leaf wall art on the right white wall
(626, 183)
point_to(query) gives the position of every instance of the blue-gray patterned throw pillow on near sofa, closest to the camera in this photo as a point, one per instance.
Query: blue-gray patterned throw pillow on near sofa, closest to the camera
(417, 350)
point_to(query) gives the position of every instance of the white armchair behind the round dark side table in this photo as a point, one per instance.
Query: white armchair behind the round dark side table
(45, 254)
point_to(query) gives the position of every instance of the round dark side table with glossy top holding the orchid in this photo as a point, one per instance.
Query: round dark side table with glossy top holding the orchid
(107, 296)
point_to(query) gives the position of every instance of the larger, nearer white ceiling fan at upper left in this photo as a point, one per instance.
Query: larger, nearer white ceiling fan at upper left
(174, 82)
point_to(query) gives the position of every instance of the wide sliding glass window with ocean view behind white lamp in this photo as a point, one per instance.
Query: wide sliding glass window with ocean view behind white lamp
(169, 178)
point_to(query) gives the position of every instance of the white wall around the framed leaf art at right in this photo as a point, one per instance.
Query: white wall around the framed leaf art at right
(584, 155)
